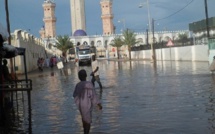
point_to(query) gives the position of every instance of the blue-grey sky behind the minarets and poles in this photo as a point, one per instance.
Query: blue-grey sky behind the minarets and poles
(168, 15)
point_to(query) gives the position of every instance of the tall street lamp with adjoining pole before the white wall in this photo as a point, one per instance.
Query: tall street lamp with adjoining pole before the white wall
(151, 30)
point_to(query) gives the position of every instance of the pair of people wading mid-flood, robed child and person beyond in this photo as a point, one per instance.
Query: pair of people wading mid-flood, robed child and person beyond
(85, 96)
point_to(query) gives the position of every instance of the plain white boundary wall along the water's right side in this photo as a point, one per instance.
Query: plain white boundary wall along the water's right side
(186, 53)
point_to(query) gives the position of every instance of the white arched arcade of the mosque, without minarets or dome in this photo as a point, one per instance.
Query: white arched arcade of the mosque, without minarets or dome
(104, 49)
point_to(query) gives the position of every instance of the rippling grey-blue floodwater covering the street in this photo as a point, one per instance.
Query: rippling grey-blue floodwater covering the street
(175, 98)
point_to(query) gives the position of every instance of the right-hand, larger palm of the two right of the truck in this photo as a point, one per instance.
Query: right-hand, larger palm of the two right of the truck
(129, 40)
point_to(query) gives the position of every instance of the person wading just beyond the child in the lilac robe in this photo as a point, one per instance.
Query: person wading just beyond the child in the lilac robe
(95, 72)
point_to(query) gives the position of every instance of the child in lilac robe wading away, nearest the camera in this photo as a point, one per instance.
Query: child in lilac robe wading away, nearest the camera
(85, 98)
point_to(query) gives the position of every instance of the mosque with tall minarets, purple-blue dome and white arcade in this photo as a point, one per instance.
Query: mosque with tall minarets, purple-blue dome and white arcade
(78, 25)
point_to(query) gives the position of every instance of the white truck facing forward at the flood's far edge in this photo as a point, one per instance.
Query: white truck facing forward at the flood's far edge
(84, 54)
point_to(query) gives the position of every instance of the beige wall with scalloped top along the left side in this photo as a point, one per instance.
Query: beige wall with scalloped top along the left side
(35, 48)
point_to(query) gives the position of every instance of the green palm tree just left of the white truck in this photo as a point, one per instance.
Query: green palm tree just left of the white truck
(63, 44)
